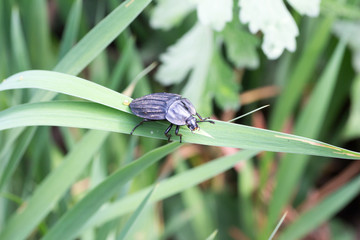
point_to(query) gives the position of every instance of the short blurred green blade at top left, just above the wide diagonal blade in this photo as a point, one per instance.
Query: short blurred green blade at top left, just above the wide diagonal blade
(71, 28)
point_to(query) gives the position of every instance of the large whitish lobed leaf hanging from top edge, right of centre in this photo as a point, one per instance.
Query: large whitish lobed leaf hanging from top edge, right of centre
(273, 19)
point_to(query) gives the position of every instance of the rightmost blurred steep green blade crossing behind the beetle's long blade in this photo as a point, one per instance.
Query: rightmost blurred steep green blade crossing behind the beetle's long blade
(309, 124)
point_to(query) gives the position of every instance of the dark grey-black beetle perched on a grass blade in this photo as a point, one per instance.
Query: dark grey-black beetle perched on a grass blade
(167, 106)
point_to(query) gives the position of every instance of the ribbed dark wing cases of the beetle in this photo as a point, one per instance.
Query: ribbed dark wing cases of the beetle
(153, 106)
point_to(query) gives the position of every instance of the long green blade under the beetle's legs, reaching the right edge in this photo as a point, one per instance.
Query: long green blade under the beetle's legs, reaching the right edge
(96, 116)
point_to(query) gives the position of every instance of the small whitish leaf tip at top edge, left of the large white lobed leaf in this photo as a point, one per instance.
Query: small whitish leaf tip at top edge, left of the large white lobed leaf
(214, 13)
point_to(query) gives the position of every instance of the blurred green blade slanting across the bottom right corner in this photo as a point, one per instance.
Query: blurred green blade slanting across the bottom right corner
(323, 211)
